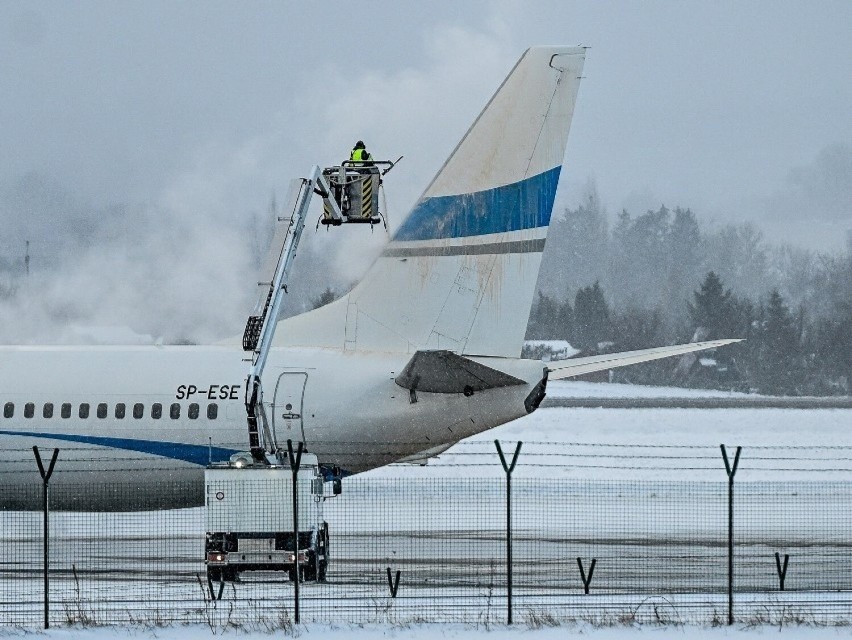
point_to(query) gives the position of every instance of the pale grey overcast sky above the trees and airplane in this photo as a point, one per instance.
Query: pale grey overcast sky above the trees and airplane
(199, 111)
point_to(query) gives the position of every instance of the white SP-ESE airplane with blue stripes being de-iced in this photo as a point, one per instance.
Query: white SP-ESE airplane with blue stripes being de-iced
(422, 353)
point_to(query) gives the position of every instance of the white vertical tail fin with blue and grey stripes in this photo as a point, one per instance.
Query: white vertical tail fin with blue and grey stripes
(460, 273)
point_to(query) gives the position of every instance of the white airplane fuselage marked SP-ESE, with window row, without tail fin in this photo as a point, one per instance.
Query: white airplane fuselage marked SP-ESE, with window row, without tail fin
(345, 407)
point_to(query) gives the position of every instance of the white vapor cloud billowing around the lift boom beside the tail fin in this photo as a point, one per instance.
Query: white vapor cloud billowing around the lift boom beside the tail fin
(182, 267)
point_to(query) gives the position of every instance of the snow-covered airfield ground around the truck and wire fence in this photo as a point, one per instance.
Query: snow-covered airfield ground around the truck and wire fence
(652, 482)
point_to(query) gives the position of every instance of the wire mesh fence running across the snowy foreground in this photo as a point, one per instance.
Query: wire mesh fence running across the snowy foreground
(433, 544)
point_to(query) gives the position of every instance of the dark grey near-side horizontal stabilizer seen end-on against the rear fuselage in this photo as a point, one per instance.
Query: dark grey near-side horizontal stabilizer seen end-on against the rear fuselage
(446, 372)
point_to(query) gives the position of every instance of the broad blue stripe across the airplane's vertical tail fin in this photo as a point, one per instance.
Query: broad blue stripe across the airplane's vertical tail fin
(521, 205)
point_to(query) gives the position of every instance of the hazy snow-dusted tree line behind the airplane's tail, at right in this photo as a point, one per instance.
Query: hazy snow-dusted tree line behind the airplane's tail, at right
(663, 278)
